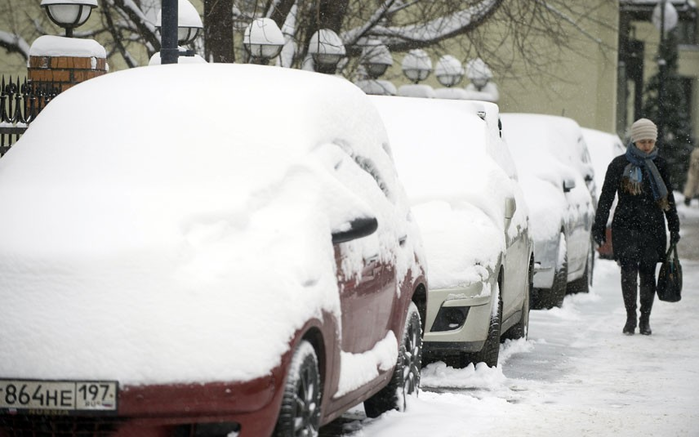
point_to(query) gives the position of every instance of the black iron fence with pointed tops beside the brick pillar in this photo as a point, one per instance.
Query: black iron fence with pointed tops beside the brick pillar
(20, 103)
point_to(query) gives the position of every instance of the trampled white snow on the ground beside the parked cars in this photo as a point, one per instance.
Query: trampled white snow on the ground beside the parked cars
(576, 375)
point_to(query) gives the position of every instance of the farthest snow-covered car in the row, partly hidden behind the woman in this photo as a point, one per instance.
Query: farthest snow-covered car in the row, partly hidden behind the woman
(603, 148)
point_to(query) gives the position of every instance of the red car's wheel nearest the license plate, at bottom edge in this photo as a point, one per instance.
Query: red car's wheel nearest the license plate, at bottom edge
(299, 415)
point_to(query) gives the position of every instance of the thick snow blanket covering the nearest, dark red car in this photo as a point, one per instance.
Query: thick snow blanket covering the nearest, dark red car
(181, 237)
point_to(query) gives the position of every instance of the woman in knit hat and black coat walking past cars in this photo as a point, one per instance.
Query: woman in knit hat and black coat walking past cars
(641, 181)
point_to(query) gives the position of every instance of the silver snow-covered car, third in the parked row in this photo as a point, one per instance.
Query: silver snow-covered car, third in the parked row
(557, 177)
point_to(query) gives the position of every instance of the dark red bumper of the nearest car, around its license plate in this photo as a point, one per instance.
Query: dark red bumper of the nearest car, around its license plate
(247, 409)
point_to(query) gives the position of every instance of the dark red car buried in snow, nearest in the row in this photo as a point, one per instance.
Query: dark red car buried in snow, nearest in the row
(209, 249)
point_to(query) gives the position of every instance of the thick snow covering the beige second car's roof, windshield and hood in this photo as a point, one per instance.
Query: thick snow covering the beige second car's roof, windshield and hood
(456, 189)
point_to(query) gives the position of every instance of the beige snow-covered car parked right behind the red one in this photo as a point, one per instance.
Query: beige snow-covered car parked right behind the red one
(463, 189)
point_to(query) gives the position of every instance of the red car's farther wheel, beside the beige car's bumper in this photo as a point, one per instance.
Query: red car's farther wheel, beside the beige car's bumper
(406, 375)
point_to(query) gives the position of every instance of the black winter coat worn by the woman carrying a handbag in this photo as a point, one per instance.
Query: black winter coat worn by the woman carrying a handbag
(638, 226)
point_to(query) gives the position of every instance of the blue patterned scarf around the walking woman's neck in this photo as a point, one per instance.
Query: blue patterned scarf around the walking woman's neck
(633, 174)
